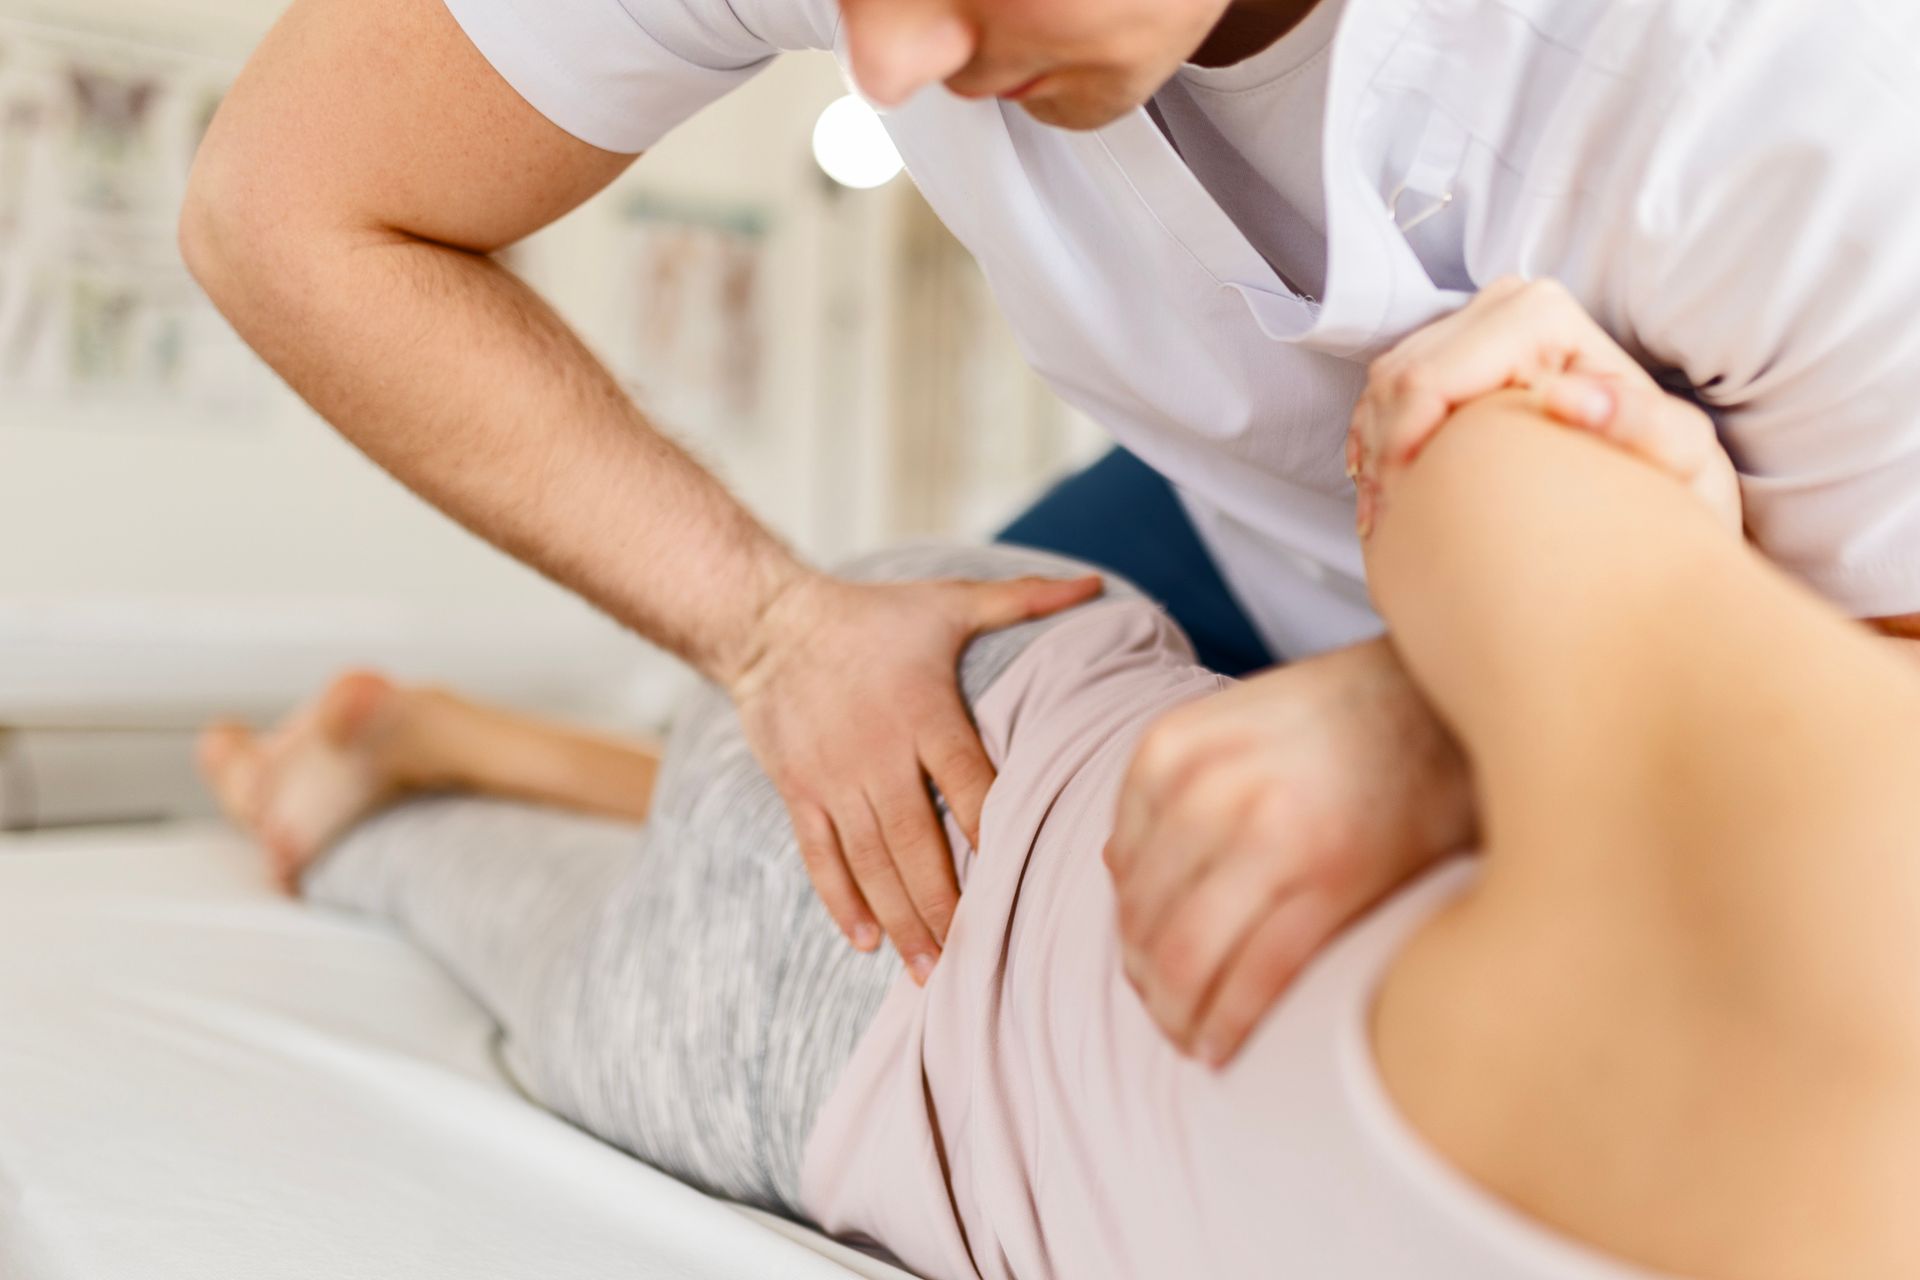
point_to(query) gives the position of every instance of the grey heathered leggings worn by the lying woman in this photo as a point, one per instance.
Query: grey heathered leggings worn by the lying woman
(671, 987)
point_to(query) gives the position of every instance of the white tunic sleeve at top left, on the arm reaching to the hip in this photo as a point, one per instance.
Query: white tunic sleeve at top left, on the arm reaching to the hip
(621, 74)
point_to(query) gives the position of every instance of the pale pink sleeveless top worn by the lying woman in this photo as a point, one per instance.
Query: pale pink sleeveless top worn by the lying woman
(1022, 1116)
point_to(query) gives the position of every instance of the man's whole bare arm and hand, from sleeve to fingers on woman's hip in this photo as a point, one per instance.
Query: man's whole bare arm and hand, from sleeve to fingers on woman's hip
(341, 216)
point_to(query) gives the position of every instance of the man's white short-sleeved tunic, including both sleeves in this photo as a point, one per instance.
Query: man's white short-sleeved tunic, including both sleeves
(1731, 187)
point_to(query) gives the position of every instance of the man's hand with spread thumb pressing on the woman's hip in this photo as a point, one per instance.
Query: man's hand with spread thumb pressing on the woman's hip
(852, 703)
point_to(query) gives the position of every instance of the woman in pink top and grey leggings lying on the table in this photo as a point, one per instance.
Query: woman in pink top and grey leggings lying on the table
(1668, 1022)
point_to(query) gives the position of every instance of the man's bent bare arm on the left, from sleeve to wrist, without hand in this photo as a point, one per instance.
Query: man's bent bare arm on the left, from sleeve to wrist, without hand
(341, 214)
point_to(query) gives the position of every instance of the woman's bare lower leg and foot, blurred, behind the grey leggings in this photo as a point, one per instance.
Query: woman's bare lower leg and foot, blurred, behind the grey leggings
(368, 742)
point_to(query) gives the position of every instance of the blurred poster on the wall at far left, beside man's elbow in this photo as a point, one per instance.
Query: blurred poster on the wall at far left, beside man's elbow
(97, 308)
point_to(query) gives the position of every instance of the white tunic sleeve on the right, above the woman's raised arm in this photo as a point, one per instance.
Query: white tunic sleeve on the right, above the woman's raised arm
(1779, 268)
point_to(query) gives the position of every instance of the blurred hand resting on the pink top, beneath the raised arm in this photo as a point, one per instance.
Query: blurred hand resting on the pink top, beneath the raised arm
(1259, 822)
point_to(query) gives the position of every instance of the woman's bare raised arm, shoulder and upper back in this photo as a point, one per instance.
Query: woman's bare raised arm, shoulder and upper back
(1681, 1014)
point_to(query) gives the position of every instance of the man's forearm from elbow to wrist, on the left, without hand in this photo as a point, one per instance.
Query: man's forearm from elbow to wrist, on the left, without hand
(462, 383)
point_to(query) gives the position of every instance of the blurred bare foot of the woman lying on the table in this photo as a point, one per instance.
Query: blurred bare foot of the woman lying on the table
(348, 753)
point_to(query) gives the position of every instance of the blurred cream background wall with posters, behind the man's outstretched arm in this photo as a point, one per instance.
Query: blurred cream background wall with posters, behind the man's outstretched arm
(180, 536)
